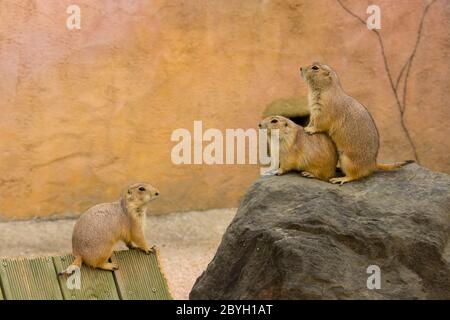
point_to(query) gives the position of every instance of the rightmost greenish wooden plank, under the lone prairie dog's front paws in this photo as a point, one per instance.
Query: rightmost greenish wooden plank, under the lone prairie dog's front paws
(139, 276)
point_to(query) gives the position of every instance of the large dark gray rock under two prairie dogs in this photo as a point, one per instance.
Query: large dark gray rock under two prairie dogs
(298, 238)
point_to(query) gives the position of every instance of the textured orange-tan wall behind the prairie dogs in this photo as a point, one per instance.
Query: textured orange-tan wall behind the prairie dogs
(85, 112)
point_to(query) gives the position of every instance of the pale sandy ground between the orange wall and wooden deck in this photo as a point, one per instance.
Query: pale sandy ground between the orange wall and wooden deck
(187, 242)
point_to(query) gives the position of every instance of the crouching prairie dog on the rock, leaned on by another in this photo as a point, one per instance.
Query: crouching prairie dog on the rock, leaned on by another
(314, 155)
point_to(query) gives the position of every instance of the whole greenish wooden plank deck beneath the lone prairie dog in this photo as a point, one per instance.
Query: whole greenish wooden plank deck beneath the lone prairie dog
(139, 277)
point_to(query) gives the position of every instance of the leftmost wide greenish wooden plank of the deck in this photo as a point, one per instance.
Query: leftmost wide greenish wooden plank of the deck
(29, 279)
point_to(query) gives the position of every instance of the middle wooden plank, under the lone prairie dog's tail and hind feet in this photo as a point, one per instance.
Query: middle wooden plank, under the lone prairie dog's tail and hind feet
(94, 284)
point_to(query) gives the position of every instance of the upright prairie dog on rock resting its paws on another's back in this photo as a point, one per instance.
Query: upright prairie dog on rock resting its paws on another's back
(347, 122)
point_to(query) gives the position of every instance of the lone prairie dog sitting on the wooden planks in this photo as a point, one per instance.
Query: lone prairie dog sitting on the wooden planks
(103, 225)
